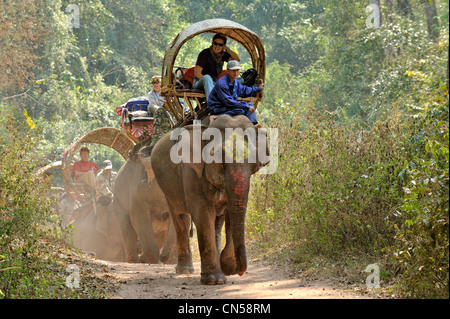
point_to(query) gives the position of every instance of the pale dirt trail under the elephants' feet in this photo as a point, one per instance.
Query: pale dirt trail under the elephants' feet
(144, 281)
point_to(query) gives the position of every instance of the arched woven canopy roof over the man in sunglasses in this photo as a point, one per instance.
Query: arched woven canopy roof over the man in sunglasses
(247, 38)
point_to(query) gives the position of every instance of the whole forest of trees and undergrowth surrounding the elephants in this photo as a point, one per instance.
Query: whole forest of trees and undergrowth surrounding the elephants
(358, 91)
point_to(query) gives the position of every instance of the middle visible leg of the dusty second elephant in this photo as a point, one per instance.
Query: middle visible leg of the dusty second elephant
(144, 229)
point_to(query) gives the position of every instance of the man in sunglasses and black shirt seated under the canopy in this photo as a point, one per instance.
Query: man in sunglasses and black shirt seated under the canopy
(210, 63)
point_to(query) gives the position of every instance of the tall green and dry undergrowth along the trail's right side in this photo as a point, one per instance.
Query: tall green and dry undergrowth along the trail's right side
(377, 191)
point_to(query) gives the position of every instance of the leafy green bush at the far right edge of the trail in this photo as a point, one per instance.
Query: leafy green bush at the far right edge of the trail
(421, 225)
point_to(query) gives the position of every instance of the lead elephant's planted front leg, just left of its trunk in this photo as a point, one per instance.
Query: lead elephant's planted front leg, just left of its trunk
(211, 274)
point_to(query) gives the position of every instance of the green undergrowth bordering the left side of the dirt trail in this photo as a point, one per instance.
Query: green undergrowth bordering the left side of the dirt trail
(34, 253)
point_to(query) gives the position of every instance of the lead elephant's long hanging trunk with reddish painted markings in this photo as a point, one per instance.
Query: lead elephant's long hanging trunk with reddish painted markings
(237, 188)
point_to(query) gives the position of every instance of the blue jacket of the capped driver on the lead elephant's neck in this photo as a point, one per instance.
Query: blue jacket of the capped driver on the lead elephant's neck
(223, 98)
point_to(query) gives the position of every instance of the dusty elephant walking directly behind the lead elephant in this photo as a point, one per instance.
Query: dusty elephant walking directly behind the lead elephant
(142, 213)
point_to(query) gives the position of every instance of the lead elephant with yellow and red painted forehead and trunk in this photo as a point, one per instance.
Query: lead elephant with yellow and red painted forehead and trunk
(210, 192)
